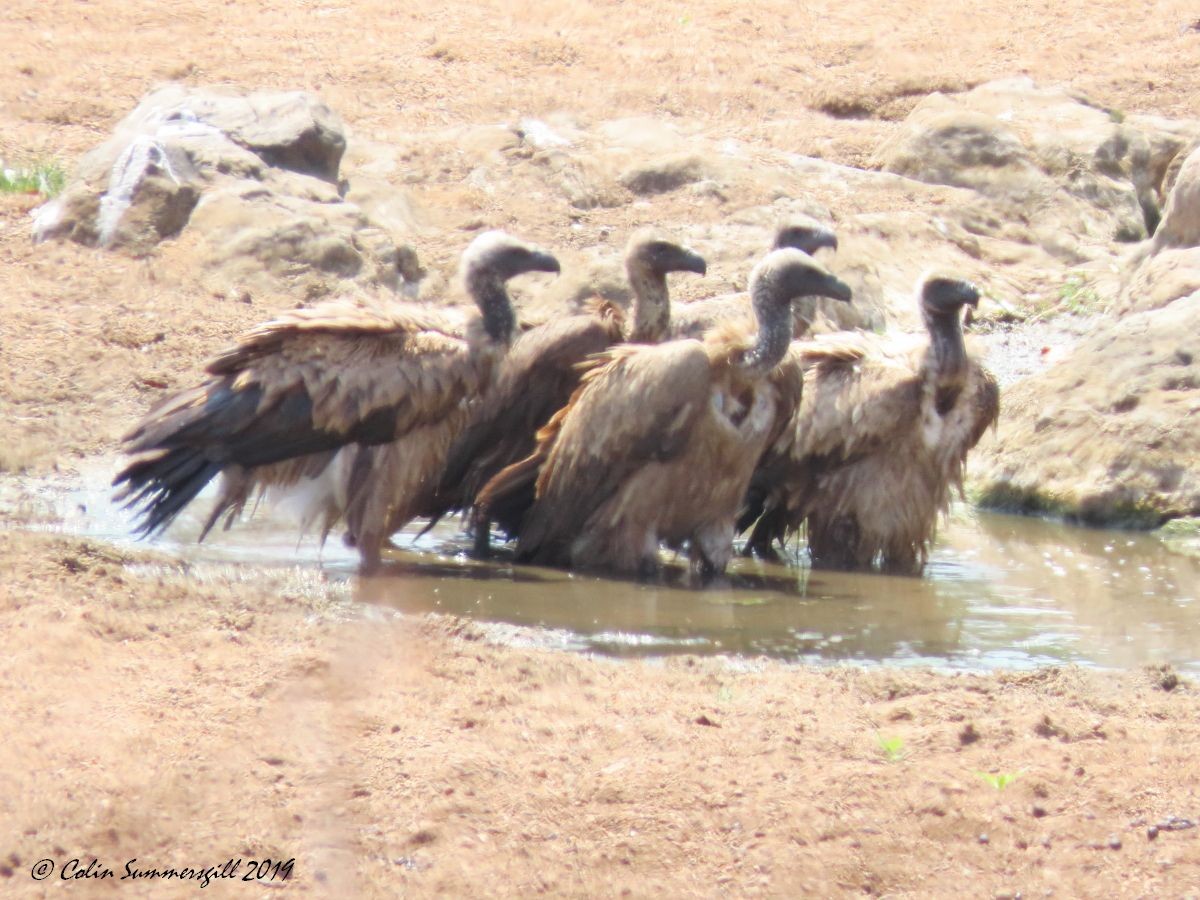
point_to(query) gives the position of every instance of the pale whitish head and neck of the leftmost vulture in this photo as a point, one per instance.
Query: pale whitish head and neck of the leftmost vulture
(488, 263)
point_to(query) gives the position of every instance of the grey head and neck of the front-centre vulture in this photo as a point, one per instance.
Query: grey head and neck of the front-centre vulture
(779, 279)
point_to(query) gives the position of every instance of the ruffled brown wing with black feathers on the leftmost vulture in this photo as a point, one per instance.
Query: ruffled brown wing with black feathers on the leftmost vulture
(308, 383)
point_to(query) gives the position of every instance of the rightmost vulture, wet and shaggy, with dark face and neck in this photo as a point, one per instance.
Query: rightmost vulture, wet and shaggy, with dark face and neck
(878, 443)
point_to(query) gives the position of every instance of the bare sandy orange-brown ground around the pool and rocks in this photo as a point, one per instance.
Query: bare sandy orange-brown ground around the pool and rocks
(184, 718)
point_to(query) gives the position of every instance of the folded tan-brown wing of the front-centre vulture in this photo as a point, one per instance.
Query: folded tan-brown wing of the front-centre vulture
(637, 405)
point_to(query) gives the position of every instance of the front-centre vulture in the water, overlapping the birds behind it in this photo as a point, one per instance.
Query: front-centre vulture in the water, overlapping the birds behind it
(658, 443)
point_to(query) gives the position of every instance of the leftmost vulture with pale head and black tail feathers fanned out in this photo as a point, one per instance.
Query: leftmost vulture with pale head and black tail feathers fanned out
(279, 406)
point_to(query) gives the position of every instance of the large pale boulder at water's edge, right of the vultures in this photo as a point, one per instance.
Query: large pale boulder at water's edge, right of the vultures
(1108, 435)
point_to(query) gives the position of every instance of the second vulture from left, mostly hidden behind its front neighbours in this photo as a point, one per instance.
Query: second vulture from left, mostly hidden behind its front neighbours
(541, 374)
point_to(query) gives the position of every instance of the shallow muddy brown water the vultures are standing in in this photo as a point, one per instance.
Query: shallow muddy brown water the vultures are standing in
(1000, 592)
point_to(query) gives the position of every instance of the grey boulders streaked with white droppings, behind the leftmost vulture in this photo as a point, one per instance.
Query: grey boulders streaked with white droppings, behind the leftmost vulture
(255, 179)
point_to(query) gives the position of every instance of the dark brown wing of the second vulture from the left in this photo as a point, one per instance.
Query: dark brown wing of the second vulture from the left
(536, 381)
